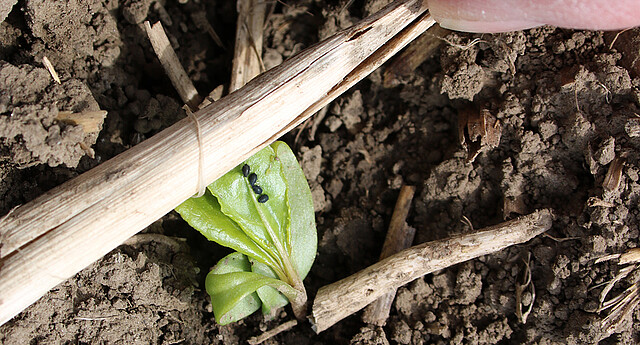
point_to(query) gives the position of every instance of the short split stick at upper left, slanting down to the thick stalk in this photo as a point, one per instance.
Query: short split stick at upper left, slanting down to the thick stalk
(172, 65)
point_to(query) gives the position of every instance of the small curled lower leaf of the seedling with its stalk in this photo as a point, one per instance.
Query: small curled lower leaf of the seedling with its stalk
(230, 289)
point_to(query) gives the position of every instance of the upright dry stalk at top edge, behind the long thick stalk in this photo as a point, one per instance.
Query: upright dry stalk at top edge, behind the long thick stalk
(247, 55)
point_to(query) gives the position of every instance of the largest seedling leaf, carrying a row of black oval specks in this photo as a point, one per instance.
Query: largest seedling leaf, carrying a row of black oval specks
(289, 211)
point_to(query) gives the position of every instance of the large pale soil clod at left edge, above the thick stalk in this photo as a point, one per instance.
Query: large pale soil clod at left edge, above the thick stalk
(28, 125)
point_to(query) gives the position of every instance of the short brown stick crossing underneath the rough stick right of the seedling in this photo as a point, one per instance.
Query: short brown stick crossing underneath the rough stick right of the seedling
(399, 237)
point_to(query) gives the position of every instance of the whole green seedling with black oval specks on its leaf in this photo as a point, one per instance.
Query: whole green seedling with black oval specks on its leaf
(262, 209)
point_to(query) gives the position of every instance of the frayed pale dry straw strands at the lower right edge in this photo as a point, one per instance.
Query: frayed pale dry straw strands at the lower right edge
(623, 304)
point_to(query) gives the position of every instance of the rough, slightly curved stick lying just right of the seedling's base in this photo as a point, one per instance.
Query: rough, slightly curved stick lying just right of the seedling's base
(336, 301)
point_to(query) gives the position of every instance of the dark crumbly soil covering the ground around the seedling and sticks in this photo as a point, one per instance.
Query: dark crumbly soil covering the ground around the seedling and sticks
(565, 103)
